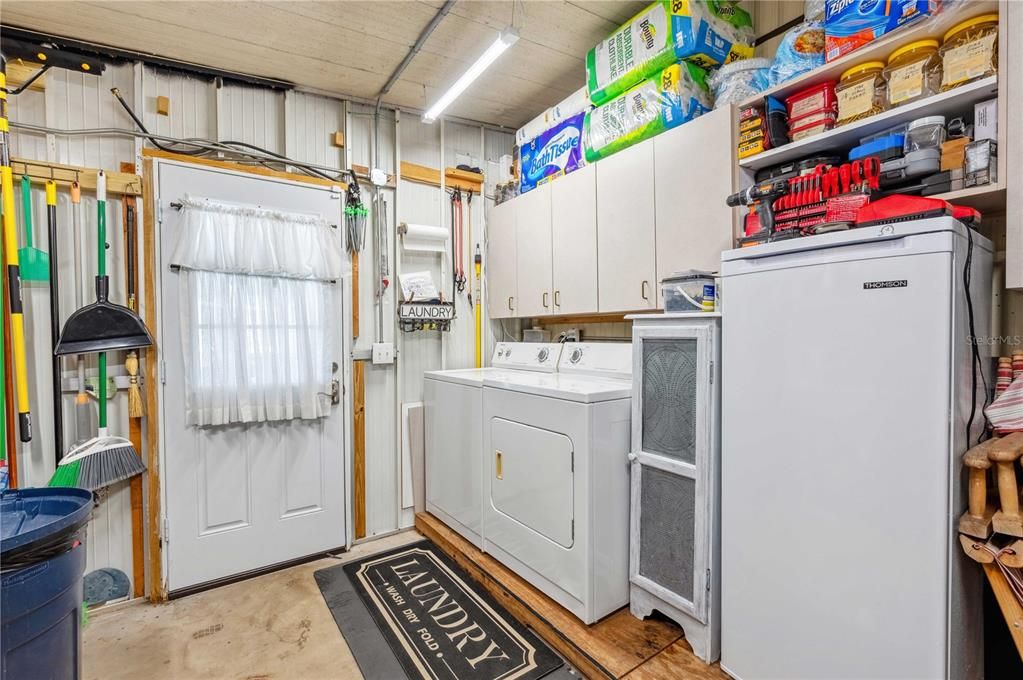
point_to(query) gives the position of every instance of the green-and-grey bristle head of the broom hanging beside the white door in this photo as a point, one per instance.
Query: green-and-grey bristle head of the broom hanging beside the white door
(98, 464)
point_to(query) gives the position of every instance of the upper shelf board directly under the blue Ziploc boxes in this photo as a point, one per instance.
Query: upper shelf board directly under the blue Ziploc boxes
(880, 50)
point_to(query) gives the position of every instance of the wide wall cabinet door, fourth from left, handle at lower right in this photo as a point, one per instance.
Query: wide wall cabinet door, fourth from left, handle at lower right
(626, 247)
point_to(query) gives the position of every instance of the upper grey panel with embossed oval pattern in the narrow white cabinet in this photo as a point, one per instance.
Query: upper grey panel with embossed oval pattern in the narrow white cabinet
(670, 398)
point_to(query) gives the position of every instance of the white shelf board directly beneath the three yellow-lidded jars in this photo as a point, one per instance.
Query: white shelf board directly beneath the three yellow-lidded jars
(954, 103)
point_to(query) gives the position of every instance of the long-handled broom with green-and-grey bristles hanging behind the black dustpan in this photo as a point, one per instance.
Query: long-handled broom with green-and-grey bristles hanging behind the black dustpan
(104, 460)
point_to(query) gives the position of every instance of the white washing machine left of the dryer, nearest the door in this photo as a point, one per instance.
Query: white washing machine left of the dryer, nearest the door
(454, 432)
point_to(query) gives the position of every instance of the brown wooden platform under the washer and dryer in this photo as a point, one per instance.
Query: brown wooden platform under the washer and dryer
(618, 647)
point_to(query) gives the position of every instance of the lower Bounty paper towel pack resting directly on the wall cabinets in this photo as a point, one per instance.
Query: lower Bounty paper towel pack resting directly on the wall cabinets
(675, 97)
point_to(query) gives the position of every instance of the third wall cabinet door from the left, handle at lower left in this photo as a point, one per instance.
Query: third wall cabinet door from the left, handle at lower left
(573, 209)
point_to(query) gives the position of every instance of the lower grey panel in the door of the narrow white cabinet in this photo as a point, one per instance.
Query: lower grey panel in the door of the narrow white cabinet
(668, 537)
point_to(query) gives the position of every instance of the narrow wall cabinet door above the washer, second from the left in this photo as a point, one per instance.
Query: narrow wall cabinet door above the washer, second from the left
(533, 230)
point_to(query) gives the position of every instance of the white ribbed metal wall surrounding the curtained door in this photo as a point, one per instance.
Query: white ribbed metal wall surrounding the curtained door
(302, 126)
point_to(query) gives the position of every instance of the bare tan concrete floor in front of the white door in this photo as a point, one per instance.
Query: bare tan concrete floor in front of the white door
(272, 627)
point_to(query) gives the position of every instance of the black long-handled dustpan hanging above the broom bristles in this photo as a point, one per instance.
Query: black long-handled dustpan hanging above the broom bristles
(103, 327)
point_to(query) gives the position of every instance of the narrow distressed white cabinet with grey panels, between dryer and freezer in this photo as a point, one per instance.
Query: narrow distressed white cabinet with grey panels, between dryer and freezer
(675, 545)
